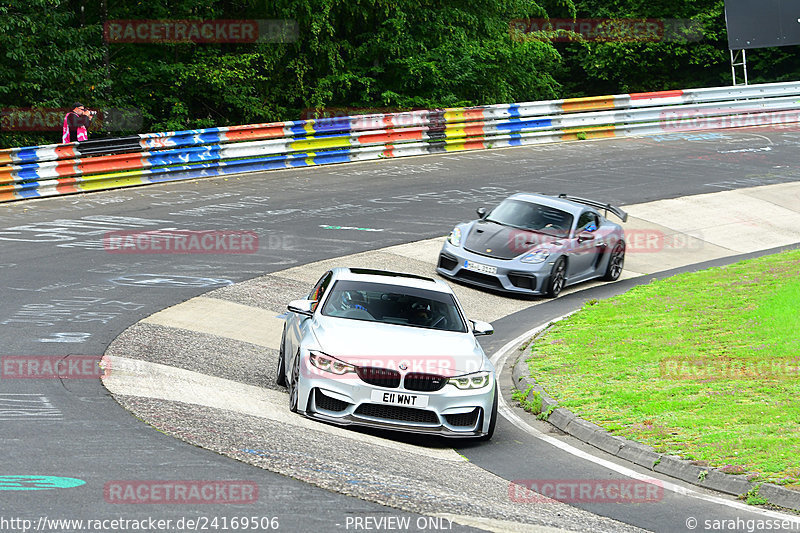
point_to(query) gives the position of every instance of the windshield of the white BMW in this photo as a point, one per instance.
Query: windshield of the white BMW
(394, 304)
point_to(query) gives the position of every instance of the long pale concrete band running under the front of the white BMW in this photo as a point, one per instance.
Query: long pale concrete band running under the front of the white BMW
(135, 377)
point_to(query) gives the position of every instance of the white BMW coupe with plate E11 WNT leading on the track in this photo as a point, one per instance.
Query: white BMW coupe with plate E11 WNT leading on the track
(388, 350)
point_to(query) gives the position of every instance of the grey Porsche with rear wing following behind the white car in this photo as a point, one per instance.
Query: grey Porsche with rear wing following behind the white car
(536, 244)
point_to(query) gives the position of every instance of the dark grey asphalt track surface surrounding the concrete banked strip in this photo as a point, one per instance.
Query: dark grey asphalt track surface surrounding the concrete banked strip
(64, 295)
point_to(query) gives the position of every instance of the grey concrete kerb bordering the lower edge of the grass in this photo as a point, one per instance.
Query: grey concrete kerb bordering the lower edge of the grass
(646, 456)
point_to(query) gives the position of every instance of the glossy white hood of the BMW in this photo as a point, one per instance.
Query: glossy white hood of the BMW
(365, 343)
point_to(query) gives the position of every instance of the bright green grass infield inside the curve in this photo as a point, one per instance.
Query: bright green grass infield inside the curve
(705, 365)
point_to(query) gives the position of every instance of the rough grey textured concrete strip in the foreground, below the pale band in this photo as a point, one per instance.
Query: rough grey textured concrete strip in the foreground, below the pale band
(401, 480)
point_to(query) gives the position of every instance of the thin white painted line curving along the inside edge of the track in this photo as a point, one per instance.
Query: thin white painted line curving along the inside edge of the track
(506, 411)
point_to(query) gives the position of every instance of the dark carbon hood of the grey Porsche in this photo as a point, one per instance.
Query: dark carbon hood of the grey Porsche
(505, 242)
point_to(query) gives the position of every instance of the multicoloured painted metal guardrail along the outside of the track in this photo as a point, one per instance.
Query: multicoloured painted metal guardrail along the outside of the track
(156, 157)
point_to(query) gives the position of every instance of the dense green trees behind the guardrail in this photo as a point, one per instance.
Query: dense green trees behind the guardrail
(348, 54)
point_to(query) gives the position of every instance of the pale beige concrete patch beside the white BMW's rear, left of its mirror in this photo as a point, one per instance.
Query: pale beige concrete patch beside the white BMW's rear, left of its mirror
(223, 318)
